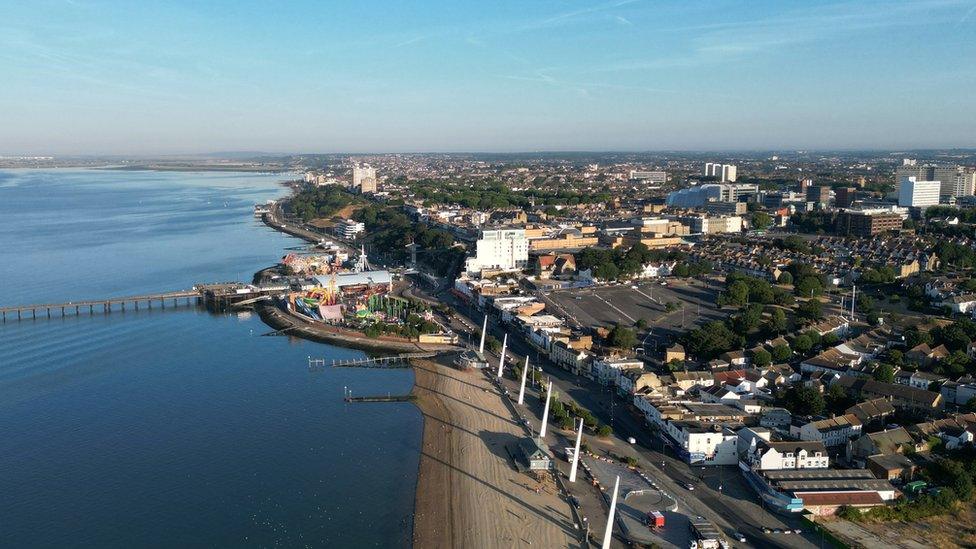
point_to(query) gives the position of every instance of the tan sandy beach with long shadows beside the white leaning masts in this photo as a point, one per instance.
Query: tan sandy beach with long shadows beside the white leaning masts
(468, 492)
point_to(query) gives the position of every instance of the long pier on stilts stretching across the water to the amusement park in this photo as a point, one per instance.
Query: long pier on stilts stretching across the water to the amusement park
(215, 296)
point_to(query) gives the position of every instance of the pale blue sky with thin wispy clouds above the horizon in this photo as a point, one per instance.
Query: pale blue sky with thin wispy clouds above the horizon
(93, 77)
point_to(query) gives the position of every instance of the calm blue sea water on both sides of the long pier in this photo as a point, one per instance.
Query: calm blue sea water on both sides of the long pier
(177, 427)
